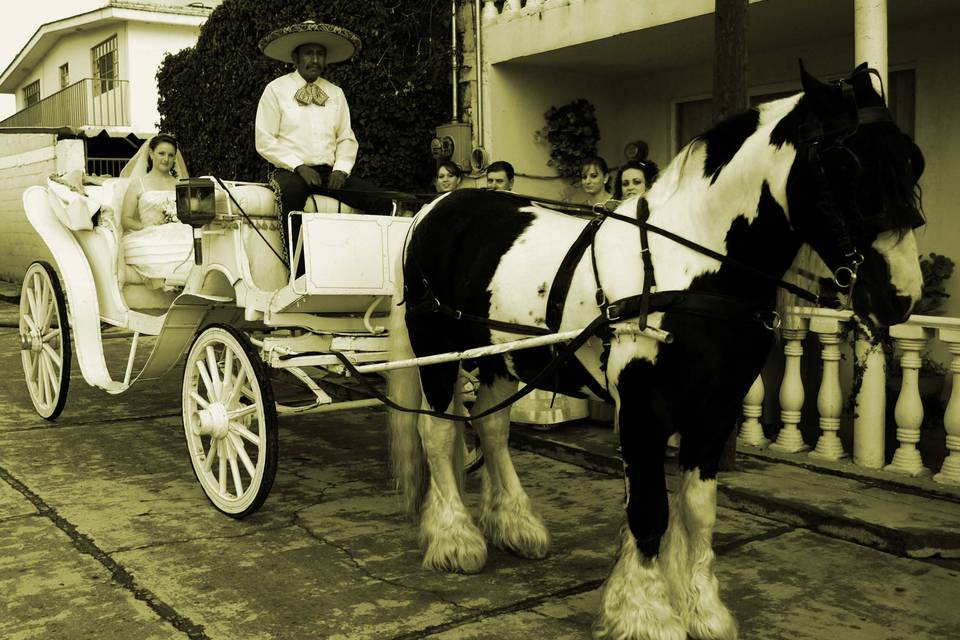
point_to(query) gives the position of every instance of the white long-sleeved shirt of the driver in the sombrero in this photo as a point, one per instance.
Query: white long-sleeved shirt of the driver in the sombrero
(289, 134)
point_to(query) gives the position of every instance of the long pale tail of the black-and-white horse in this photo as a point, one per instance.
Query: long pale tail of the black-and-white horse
(403, 387)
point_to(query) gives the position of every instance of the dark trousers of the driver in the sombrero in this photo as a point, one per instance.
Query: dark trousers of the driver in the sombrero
(294, 192)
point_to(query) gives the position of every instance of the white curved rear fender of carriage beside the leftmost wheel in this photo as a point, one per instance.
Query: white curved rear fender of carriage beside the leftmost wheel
(78, 284)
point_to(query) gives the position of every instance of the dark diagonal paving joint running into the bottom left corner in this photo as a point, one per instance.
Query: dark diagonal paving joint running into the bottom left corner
(118, 573)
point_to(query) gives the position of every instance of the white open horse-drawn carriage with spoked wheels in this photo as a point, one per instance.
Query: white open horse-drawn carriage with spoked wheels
(236, 315)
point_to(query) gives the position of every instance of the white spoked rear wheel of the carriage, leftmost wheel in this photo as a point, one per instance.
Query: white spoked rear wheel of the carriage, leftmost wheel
(44, 340)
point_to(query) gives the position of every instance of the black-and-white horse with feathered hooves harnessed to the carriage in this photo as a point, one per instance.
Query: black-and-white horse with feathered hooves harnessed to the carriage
(699, 258)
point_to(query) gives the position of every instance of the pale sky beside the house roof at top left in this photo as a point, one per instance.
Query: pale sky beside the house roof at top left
(20, 21)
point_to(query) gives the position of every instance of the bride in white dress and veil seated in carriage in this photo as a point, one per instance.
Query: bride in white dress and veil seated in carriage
(155, 244)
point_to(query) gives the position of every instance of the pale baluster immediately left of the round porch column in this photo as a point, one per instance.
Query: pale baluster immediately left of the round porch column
(829, 398)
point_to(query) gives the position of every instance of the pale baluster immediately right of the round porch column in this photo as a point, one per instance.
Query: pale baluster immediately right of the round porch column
(908, 413)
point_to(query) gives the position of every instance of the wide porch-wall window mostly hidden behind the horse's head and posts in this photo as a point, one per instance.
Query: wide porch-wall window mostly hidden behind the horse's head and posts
(696, 116)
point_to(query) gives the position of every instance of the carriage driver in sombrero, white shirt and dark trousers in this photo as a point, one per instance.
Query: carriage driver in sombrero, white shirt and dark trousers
(303, 121)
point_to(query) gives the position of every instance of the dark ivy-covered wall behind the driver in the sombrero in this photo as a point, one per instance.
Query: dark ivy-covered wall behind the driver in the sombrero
(398, 86)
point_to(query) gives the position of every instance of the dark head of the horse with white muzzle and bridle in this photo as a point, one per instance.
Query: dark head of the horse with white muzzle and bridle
(854, 195)
